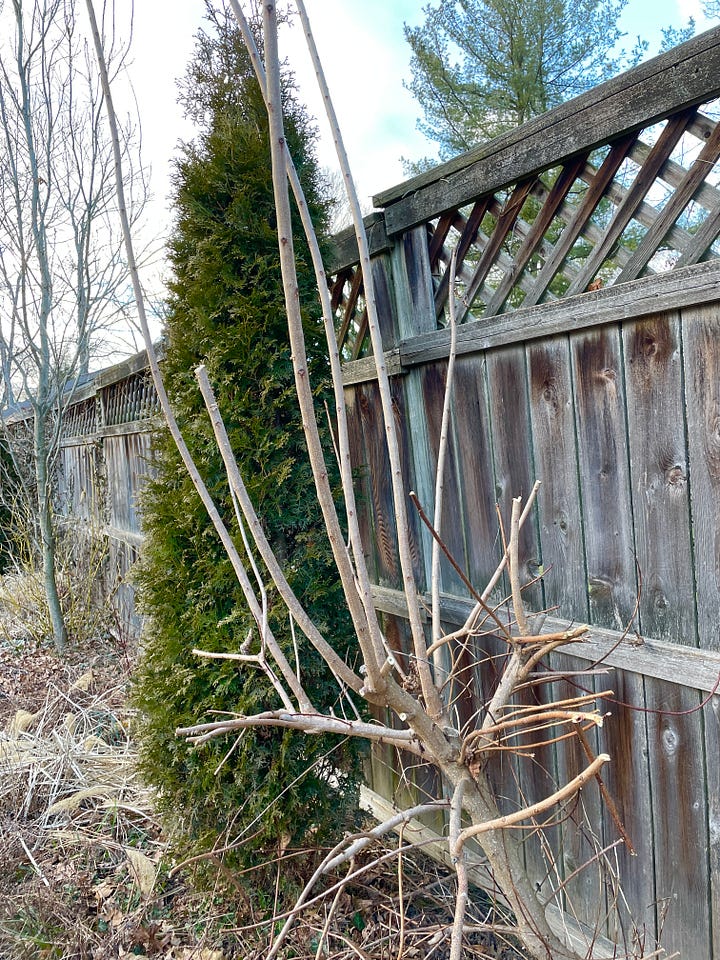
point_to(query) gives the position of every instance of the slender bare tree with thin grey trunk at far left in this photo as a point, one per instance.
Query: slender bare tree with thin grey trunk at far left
(63, 276)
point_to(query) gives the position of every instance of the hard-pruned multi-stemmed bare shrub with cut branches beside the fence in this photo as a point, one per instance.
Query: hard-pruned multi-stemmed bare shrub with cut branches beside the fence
(415, 694)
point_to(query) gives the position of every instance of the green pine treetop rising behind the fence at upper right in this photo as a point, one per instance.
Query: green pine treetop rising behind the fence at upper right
(481, 67)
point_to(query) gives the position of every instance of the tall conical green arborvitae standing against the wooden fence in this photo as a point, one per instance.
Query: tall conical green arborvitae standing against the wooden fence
(226, 310)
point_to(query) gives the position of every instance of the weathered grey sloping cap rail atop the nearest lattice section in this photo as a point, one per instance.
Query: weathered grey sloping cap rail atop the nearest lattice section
(685, 76)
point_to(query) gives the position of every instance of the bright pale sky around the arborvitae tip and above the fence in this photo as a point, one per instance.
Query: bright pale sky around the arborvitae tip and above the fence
(366, 59)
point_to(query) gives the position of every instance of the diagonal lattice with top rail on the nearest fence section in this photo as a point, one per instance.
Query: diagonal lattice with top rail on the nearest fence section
(637, 194)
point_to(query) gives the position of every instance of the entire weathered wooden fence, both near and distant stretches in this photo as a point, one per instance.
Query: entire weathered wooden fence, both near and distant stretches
(588, 358)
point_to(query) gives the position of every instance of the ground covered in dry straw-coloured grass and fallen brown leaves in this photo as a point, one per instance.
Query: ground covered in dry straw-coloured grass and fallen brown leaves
(84, 860)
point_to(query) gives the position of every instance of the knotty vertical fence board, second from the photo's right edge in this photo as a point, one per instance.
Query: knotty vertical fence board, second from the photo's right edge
(658, 464)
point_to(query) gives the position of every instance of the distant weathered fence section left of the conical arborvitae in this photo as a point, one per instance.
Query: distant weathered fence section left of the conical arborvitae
(105, 458)
